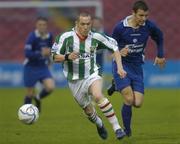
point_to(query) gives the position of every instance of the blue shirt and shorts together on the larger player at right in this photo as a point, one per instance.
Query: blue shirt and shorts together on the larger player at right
(136, 40)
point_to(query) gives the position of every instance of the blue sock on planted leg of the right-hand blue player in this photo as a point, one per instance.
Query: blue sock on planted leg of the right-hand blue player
(126, 113)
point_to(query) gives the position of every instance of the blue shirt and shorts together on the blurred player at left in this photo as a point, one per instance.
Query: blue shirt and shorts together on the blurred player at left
(36, 68)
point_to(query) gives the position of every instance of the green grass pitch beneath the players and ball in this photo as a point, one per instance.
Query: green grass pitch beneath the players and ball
(63, 122)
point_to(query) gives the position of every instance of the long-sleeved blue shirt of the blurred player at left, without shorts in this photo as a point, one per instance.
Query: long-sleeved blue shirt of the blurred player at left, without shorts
(33, 47)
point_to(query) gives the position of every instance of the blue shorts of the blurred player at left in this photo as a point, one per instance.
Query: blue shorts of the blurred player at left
(32, 75)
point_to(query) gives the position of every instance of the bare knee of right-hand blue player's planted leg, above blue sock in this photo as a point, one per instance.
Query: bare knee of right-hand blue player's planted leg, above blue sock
(127, 94)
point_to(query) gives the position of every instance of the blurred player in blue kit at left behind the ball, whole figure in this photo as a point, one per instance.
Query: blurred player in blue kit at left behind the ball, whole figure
(37, 53)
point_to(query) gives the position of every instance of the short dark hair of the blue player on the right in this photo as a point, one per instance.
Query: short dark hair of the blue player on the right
(140, 5)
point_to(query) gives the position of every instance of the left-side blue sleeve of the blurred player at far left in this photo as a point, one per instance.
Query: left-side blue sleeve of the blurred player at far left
(29, 52)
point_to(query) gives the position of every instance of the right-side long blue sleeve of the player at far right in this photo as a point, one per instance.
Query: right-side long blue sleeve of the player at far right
(157, 35)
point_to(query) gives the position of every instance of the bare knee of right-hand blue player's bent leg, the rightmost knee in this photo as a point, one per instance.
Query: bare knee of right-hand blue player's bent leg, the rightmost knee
(139, 98)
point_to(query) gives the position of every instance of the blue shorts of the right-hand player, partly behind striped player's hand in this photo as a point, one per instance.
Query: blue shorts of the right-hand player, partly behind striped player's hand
(134, 77)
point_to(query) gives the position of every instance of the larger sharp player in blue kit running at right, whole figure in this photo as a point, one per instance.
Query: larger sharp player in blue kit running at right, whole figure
(132, 35)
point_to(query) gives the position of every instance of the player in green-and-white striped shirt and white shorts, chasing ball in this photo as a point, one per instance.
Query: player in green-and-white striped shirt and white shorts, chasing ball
(77, 50)
